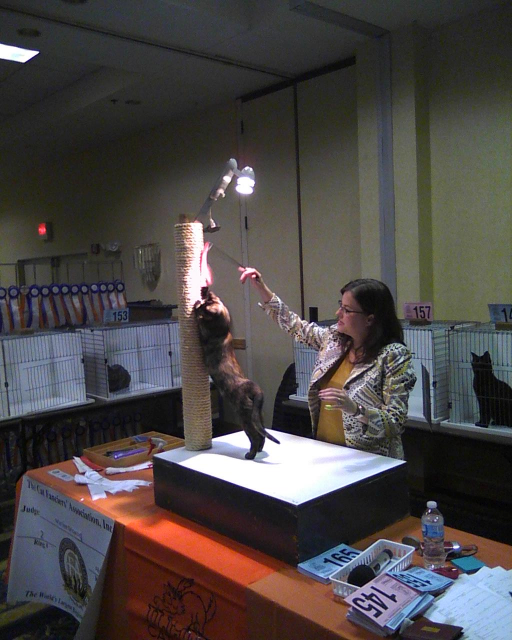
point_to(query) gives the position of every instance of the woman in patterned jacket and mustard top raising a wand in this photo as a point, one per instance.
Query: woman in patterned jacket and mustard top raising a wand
(363, 368)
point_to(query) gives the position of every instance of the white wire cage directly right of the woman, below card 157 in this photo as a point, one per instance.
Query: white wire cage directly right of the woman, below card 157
(430, 357)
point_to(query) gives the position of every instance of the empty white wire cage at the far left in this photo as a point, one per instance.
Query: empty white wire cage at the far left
(40, 372)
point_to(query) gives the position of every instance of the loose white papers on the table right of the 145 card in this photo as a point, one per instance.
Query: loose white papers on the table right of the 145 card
(481, 603)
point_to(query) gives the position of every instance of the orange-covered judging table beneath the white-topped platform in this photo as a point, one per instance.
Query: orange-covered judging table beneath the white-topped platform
(166, 573)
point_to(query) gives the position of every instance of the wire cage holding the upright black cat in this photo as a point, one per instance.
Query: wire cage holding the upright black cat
(481, 362)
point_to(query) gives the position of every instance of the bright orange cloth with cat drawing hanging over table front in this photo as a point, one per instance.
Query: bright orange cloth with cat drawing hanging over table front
(185, 581)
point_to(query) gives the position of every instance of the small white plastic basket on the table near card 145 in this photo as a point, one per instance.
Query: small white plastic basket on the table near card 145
(402, 558)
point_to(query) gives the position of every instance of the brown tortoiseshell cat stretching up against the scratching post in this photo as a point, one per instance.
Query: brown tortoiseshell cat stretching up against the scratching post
(246, 397)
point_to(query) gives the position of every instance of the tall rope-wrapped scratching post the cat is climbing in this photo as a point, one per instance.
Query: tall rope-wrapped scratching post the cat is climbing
(197, 413)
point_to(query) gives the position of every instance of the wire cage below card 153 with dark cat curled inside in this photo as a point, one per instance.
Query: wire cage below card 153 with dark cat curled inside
(132, 359)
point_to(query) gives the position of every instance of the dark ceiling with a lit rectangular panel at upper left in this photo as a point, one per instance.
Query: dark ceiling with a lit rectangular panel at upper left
(111, 68)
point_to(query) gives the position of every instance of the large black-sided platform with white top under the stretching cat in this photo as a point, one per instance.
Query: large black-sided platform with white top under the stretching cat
(295, 500)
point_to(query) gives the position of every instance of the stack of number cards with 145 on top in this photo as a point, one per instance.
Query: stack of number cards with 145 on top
(384, 603)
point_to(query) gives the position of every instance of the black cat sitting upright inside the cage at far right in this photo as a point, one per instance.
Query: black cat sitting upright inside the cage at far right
(494, 396)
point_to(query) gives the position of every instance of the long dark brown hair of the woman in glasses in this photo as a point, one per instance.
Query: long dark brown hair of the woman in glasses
(375, 298)
